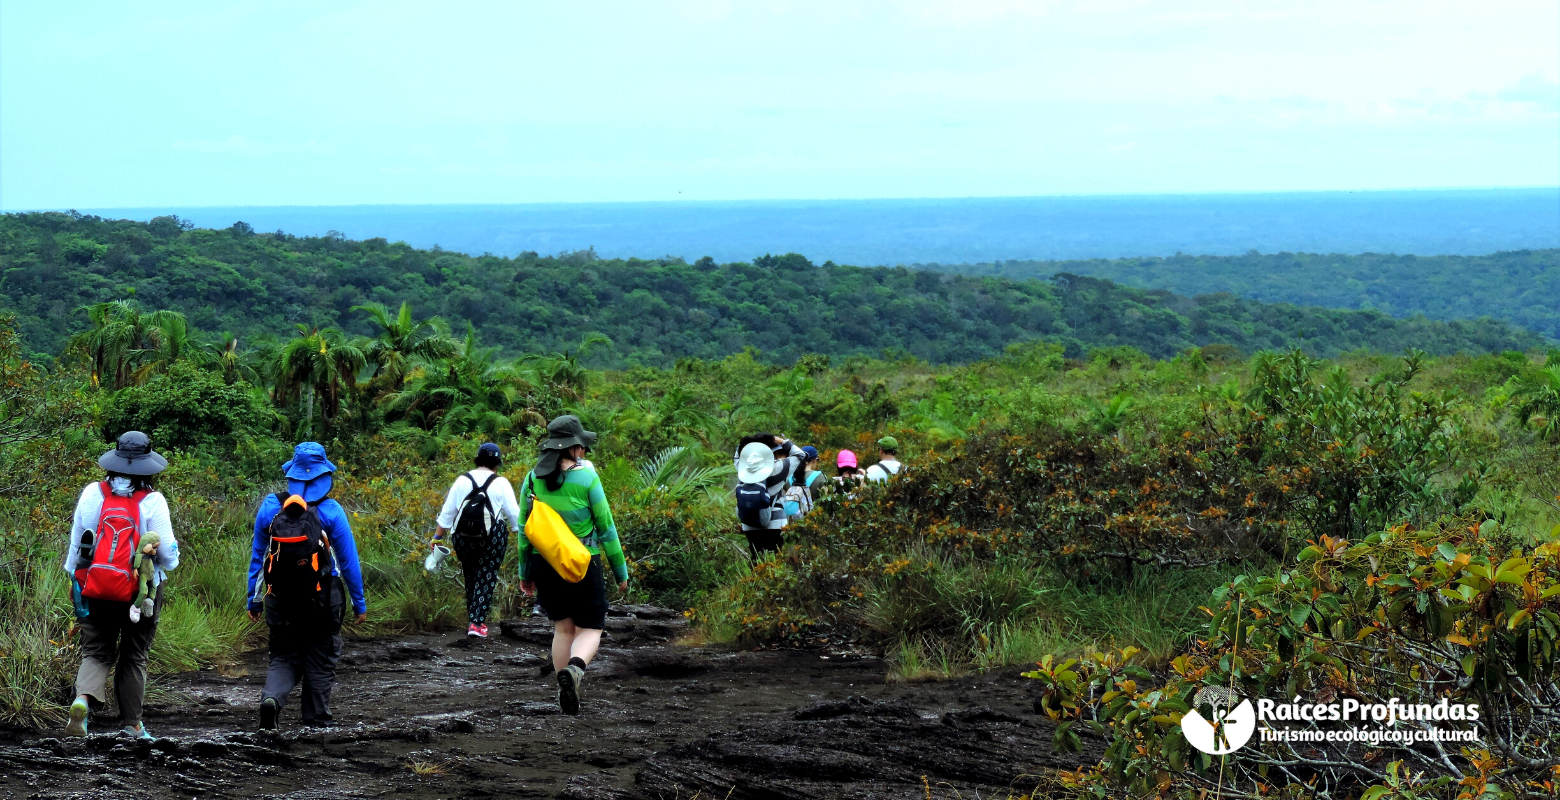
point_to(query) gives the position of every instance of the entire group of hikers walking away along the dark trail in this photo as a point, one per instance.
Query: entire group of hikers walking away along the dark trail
(305, 570)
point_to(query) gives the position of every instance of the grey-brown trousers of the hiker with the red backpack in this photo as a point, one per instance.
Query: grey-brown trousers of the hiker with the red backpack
(110, 642)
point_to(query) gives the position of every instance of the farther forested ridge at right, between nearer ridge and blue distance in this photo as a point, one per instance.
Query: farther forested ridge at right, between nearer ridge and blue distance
(1517, 286)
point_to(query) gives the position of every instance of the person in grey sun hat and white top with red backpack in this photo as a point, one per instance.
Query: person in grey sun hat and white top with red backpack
(116, 520)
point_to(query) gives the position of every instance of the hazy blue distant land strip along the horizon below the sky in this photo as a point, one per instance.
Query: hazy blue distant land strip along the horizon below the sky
(946, 232)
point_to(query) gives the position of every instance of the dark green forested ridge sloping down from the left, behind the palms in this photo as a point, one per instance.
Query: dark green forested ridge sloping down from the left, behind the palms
(257, 286)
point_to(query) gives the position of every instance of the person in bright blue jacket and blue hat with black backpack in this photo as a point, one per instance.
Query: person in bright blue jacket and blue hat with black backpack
(303, 553)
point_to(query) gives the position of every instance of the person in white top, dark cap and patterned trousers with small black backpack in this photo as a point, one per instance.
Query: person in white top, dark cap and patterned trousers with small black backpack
(481, 511)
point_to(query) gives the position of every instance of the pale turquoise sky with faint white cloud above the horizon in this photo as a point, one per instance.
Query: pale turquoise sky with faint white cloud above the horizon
(263, 104)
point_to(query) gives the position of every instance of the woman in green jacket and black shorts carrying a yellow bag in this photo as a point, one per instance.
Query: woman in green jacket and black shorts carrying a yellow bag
(565, 484)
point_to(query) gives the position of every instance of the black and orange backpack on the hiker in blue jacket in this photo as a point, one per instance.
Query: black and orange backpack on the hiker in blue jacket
(299, 565)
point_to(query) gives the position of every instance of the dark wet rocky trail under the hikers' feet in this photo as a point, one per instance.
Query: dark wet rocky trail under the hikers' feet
(444, 717)
